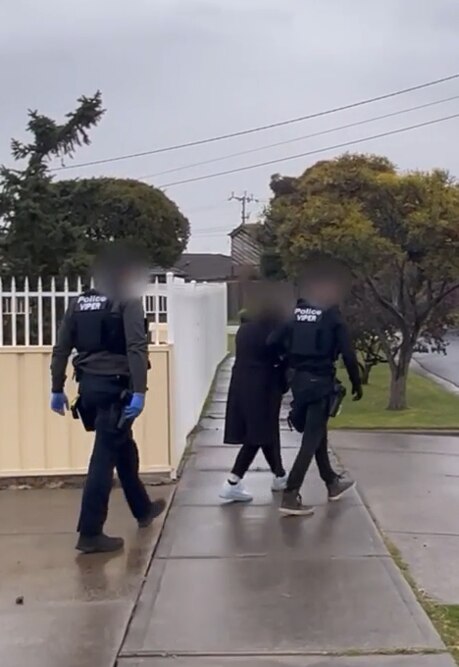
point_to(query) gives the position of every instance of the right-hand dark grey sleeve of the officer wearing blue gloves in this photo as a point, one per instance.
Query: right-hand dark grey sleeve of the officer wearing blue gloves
(136, 344)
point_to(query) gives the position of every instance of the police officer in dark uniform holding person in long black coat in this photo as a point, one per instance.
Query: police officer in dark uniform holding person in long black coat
(313, 340)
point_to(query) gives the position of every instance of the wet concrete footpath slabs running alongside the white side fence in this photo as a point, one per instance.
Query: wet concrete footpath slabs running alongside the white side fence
(239, 586)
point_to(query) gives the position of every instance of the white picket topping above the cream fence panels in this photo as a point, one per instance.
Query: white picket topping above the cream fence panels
(30, 313)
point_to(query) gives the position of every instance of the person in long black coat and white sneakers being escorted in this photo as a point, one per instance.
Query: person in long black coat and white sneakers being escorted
(257, 385)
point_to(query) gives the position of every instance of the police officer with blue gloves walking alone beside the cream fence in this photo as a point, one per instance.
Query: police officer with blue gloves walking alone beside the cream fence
(106, 327)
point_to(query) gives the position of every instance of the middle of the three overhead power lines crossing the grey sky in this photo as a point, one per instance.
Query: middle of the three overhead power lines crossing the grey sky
(300, 138)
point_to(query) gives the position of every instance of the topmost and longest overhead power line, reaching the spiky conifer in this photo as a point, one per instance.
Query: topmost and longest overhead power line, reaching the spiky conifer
(262, 128)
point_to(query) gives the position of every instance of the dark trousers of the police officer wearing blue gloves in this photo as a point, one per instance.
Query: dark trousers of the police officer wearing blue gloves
(113, 448)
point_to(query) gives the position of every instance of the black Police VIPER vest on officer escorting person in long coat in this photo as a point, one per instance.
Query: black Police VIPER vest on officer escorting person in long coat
(313, 333)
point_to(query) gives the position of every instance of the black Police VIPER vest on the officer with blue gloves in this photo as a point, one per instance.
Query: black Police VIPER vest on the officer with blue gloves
(97, 324)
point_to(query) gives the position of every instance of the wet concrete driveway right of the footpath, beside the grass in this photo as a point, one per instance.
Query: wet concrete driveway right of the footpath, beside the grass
(411, 484)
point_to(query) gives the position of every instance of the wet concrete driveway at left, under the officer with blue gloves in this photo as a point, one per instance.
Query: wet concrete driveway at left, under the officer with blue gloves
(57, 608)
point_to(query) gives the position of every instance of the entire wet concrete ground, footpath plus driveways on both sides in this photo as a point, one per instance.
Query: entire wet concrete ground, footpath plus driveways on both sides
(239, 586)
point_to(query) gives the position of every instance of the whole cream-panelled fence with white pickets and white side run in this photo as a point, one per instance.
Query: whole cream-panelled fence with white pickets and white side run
(187, 342)
